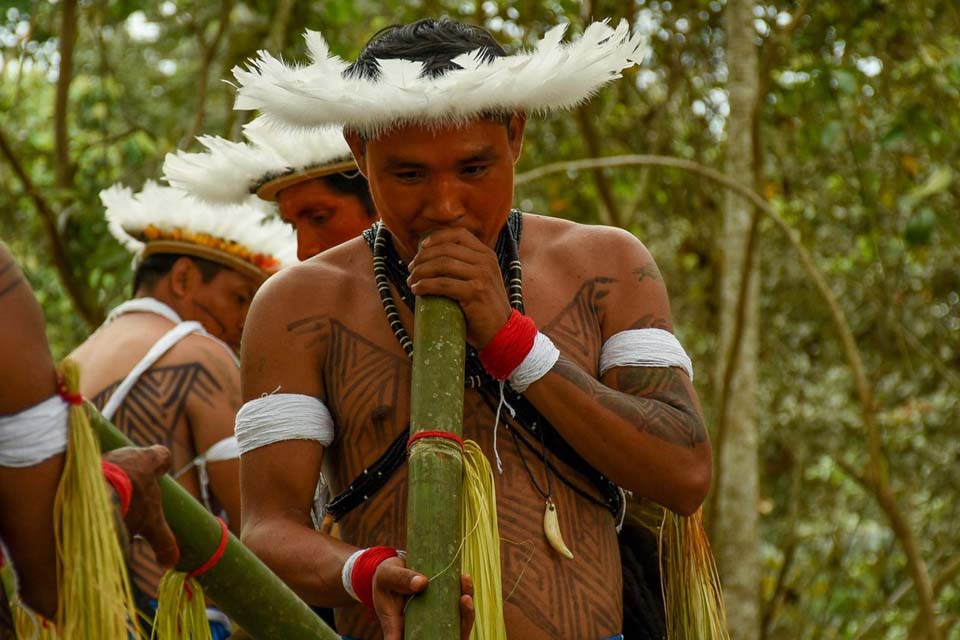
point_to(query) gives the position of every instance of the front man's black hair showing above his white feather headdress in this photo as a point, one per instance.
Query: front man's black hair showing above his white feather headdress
(434, 42)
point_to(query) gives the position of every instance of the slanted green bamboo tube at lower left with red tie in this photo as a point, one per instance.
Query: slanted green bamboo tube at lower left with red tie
(240, 584)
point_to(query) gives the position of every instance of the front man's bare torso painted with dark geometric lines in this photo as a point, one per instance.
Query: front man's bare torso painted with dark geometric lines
(367, 386)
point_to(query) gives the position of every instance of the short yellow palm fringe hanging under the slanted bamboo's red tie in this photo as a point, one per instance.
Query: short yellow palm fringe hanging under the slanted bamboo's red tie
(181, 609)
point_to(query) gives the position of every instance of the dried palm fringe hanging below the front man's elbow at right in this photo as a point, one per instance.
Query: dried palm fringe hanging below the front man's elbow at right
(691, 585)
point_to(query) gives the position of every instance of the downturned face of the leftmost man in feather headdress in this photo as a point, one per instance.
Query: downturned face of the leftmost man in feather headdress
(221, 304)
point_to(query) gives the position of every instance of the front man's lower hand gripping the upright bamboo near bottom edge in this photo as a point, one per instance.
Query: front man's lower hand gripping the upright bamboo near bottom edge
(393, 583)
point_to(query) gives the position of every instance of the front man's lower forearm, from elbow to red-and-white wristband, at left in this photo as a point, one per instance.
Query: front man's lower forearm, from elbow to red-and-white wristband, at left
(309, 562)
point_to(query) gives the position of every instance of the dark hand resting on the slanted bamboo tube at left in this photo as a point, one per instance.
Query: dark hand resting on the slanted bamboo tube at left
(145, 466)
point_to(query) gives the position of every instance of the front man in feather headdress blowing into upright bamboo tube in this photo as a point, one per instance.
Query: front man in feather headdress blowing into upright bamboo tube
(597, 399)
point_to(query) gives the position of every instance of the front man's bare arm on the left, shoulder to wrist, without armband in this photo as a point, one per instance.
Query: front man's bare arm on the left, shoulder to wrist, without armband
(278, 480)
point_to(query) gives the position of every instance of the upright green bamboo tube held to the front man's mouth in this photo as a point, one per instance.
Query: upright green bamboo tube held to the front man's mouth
(435, 469)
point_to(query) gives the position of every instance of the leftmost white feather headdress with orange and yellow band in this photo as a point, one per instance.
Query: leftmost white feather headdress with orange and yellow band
(167, 220)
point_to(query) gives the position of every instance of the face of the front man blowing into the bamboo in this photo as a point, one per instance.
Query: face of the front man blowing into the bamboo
(425, 178)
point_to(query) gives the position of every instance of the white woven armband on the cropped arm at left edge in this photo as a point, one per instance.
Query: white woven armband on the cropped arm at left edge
(35, 434)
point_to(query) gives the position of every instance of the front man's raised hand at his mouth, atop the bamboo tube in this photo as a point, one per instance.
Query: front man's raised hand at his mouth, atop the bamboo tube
(456, 264)
